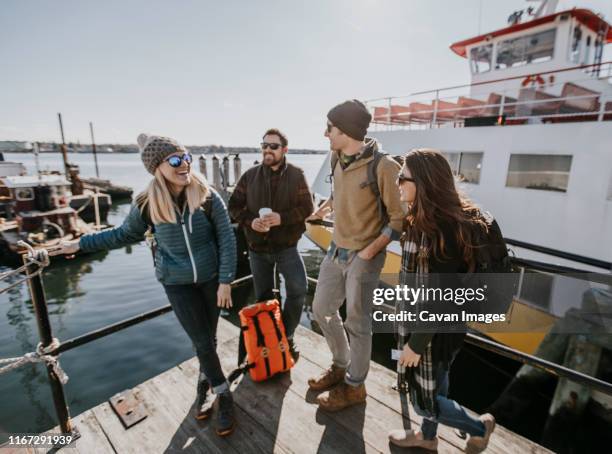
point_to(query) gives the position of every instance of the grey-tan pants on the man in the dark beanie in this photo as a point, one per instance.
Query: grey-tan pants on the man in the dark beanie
(354, 281)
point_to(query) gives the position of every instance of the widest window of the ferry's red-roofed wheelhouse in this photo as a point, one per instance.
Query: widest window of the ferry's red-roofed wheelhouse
(534, 48)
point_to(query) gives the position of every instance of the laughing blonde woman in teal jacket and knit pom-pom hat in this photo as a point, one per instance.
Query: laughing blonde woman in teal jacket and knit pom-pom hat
(194, 254)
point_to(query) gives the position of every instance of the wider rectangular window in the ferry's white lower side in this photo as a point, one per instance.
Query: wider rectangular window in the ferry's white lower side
(539, 171)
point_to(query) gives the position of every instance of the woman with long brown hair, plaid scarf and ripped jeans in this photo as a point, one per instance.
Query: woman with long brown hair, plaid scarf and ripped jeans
(439, 241)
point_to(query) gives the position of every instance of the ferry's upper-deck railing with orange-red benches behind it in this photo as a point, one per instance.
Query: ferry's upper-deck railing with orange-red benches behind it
(533, 101)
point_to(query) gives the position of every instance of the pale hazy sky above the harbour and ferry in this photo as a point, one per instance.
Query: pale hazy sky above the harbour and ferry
(207, 72)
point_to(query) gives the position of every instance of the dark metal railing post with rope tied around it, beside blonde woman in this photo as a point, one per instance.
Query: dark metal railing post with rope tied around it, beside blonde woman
(39, 302)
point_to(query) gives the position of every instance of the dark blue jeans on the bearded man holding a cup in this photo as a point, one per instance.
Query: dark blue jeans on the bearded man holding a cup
(291, 266)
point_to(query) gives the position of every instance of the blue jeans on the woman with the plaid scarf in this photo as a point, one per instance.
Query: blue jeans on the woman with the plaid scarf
(451, 413)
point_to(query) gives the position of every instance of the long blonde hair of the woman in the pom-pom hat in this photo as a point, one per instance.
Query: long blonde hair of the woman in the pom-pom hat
(157, 198)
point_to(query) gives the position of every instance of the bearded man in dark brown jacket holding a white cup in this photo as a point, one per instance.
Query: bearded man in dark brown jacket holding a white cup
(272, 237)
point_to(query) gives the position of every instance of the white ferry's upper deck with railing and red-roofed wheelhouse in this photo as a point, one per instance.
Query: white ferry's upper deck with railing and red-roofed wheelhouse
(544, 70)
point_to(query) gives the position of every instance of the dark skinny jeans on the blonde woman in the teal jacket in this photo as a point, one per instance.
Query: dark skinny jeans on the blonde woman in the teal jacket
(195, 306)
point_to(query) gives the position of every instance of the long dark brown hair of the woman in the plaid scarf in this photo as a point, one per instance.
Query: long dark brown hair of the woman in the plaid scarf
(438, 201)
